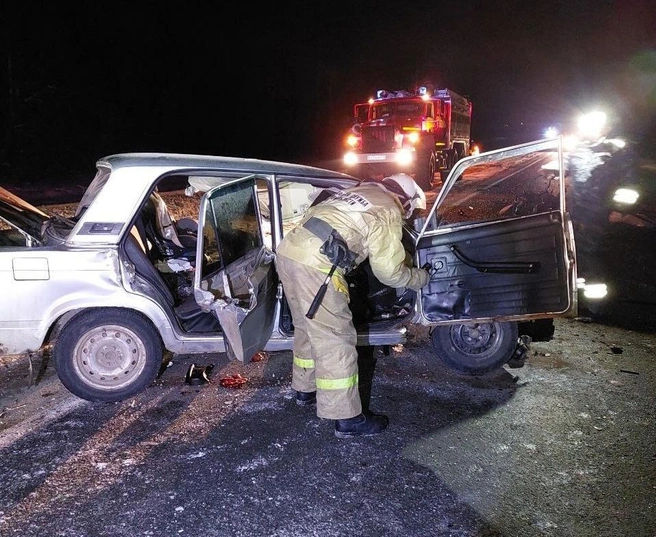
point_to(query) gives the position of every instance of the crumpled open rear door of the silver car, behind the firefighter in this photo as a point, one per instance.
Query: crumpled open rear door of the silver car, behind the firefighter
(235, 273)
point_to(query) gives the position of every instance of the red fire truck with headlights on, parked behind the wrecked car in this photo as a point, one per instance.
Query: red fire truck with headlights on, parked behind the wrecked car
(422, 133)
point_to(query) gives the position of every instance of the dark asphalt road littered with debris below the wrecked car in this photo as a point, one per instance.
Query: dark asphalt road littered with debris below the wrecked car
(565, 446)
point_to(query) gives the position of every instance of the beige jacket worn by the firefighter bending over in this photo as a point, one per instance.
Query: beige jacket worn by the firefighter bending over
(370, 220)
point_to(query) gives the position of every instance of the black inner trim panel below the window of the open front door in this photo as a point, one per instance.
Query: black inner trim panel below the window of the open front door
(519, 268)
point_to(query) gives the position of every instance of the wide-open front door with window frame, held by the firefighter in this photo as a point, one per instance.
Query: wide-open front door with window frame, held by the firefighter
(498, 239)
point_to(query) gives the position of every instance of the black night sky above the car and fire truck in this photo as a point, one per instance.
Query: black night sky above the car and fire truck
(79, 81)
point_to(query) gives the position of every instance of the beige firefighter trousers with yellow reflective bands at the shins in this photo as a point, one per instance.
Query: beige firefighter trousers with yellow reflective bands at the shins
(325, 358)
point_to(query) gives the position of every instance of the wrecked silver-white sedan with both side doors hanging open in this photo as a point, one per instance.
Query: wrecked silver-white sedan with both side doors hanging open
(122, 281)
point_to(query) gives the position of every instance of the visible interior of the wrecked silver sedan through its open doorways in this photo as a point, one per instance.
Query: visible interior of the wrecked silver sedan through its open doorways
(165, 266)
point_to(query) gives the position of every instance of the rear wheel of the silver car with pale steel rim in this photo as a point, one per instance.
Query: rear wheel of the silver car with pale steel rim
(107, 354)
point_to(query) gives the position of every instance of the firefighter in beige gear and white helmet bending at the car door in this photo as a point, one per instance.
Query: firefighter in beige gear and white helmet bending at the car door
(341, 229)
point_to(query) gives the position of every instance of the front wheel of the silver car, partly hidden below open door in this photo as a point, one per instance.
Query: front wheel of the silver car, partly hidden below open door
(475, 348)
